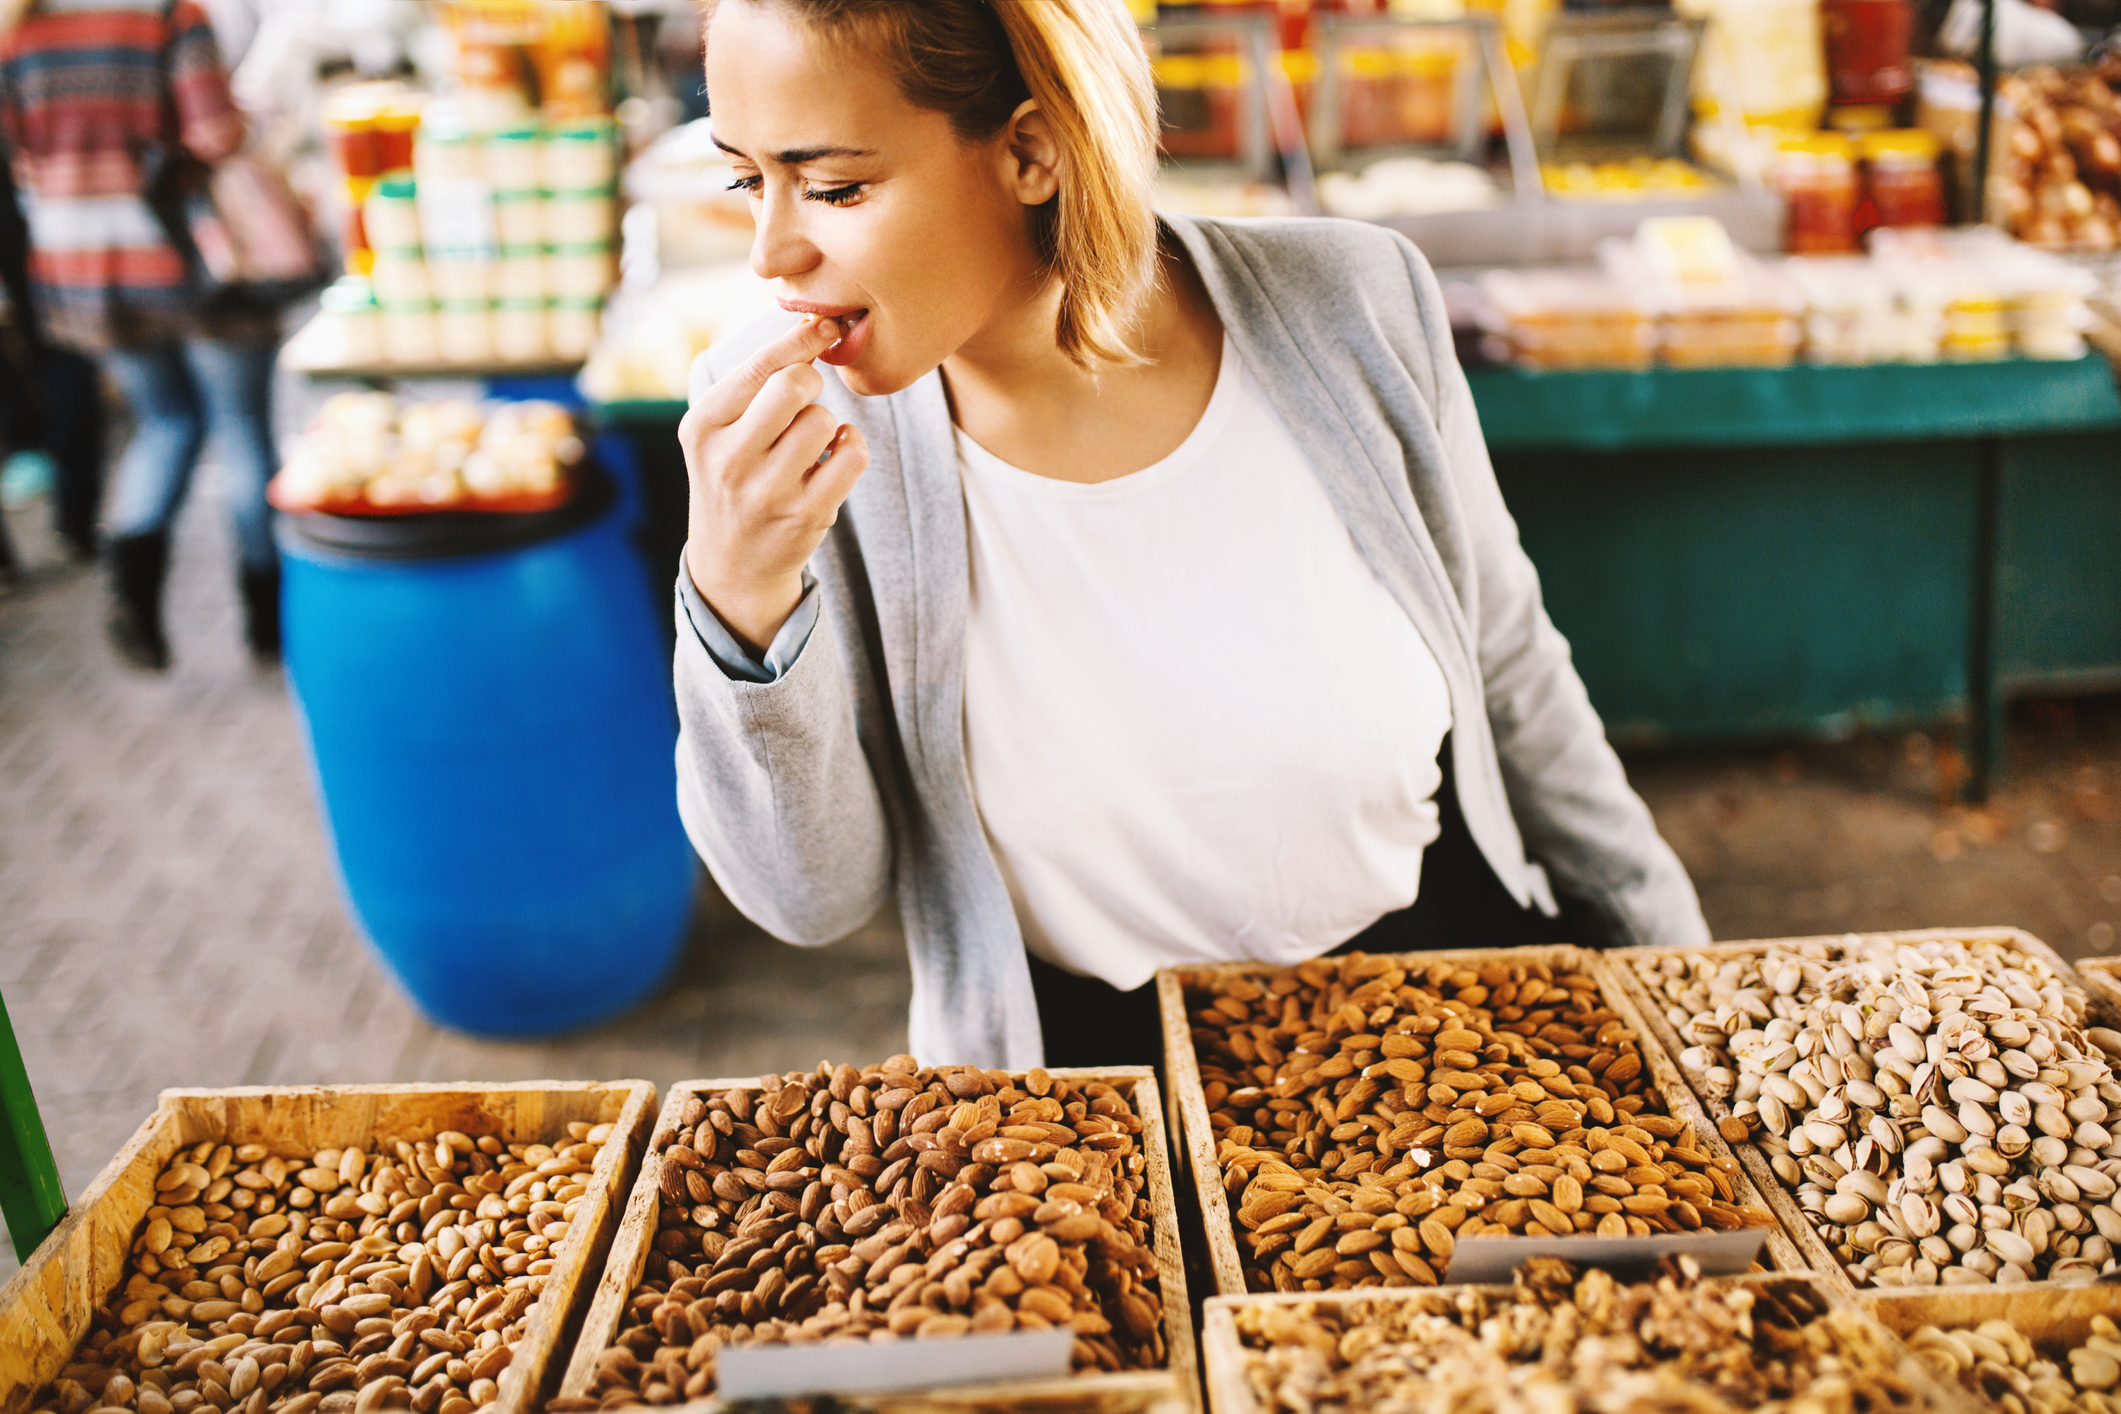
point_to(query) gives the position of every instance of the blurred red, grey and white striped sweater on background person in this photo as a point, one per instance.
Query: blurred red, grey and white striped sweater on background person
(92, 92)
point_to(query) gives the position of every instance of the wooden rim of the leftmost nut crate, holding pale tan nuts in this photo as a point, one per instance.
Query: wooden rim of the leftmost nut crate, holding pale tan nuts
(48, 1307)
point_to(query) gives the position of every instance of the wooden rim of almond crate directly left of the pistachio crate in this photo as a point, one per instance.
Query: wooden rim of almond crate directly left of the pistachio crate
(1199, 1137)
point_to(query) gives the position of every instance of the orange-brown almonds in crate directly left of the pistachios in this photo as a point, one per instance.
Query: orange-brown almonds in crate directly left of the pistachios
(1371, 1112)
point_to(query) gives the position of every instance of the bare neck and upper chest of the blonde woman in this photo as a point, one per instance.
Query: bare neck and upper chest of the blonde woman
(1015, 393)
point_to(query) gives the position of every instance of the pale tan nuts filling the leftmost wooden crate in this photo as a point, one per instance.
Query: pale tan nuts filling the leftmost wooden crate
(336, 1284)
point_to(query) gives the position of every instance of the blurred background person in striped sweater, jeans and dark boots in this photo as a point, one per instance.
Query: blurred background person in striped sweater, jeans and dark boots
(94, 101)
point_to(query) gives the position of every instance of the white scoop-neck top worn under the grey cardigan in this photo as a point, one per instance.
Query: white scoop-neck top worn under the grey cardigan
(1199, 728)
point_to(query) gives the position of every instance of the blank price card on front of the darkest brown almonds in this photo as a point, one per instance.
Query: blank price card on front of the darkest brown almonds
(786, 1373)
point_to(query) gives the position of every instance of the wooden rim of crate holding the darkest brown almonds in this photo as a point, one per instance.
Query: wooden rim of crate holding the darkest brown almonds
(1176, 1388)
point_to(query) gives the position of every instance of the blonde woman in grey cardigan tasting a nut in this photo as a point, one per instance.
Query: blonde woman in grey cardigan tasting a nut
(1161, 605)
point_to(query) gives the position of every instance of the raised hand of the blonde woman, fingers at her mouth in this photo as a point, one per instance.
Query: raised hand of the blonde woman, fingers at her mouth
(769, 472)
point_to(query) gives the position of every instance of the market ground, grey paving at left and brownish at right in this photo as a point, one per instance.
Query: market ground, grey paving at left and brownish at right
(169, 913)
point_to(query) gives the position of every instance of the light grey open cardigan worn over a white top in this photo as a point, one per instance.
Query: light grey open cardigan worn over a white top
(841, 781)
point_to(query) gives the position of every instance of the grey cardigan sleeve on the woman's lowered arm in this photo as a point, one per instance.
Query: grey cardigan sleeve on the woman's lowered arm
(1579, 815)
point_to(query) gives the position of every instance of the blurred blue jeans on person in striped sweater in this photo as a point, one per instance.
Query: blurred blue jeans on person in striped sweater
(179, 393)
